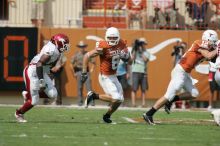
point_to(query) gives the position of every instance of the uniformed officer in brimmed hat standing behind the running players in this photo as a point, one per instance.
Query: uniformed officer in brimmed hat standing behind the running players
(76, 66)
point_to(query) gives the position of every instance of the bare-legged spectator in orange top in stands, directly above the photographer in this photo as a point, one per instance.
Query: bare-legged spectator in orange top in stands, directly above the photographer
(136, 9)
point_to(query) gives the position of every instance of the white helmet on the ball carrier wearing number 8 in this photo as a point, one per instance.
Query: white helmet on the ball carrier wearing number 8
(112, 36)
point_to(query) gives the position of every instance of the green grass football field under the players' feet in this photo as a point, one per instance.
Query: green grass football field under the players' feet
(84, 127)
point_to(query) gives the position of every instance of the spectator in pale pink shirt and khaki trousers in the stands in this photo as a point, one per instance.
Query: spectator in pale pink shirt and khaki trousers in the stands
(164, 10)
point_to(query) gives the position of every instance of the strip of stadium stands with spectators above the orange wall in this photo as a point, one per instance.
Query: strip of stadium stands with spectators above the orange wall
(133, 14)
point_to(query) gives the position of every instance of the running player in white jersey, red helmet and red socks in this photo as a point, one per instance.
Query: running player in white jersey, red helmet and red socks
(36, 74)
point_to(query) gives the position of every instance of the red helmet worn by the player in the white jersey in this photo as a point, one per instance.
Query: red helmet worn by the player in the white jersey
(61, 41)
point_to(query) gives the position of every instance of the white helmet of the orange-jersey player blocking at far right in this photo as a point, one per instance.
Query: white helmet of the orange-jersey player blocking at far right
(211, 36)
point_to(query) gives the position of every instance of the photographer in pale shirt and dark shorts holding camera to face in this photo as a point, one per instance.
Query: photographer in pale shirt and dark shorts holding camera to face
(140, 57)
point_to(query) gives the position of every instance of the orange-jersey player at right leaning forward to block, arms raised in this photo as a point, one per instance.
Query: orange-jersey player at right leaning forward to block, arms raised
(181, 78)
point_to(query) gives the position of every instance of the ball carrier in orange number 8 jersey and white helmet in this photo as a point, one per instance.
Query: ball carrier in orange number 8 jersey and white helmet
(110, 51)
